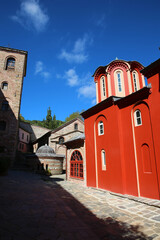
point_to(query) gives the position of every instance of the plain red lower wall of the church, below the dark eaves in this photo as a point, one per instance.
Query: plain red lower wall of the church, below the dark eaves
(131, 165)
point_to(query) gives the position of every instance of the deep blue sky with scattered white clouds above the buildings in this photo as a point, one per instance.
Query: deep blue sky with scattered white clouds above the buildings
(67, 40)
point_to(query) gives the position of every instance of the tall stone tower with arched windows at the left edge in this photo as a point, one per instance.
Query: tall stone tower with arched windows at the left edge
(12, 71)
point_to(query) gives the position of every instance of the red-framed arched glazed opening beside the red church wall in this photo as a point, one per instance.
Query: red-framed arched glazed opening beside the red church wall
(76, 165)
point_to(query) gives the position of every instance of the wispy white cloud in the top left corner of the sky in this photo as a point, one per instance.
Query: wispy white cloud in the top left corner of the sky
(31, 15)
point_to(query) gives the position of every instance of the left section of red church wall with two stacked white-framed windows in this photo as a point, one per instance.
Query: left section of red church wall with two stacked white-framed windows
(111, 178)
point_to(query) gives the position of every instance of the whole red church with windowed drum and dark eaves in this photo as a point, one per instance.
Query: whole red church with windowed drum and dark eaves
(122, 131)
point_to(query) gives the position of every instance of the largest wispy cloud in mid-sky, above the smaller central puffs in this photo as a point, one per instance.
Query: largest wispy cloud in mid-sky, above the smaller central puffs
(77, 54)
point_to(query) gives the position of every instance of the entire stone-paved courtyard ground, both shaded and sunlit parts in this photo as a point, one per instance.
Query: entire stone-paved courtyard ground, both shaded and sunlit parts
(33, 207)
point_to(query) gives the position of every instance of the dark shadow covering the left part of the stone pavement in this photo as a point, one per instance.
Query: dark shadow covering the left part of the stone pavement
(32, 209)
